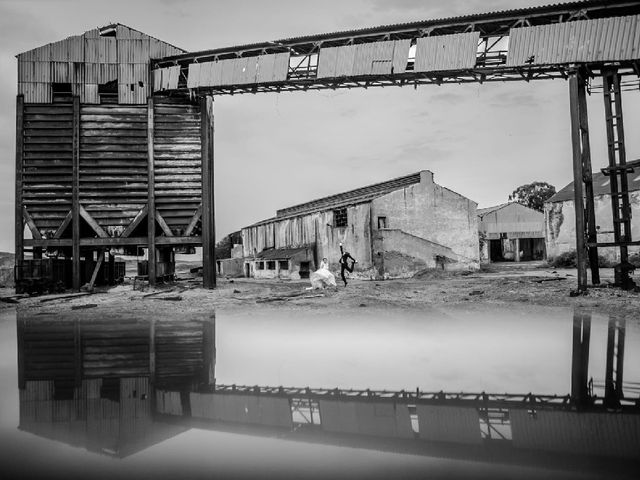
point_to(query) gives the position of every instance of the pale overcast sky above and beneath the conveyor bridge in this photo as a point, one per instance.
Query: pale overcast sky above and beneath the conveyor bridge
(277, 150)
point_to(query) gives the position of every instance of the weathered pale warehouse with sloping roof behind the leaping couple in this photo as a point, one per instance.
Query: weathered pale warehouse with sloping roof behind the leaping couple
(394, 229)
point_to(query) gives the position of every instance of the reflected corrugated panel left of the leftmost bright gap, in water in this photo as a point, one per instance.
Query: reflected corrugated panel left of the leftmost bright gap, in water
(251, 409)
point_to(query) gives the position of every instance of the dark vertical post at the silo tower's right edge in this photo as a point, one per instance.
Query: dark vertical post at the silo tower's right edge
(208, 210)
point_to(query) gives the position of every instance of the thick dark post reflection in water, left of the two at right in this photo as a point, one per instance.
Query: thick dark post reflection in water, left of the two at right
(580, 358)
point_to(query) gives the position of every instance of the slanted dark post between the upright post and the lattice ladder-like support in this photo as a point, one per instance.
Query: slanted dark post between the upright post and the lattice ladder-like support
(587, 178)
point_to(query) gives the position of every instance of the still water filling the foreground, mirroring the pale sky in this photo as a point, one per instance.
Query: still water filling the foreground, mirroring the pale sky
(47, 432)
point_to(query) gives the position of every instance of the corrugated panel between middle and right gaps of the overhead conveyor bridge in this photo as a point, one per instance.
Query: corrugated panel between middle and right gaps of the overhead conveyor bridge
(446, 52)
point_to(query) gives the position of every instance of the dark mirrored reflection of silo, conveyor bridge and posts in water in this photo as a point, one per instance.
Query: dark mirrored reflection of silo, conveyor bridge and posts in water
(119, 386)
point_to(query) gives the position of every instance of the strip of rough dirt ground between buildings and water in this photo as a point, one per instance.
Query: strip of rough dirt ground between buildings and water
(531, 284)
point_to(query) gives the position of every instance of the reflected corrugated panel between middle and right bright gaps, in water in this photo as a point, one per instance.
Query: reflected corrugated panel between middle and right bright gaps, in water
(438, 423)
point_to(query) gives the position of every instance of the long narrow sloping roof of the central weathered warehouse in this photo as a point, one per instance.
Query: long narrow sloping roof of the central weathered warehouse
(359, 195)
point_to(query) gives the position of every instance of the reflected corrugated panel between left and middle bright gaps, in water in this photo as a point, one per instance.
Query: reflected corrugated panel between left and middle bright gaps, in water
(385, 419)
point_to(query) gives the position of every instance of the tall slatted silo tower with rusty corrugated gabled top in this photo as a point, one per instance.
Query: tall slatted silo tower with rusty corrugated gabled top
(103, 164)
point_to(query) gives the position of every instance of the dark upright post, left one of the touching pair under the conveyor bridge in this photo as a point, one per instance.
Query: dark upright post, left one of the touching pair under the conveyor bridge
(578, 175)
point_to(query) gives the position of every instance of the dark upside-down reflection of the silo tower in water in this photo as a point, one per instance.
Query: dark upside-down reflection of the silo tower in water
(101, 384)
